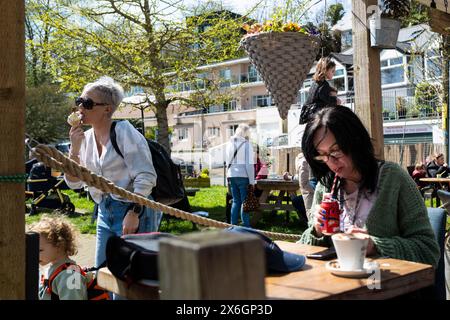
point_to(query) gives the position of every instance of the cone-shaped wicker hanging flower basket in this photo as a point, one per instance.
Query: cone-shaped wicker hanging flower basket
(283, 59)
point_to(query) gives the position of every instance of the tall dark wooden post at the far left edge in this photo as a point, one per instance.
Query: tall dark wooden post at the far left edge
(12, 110)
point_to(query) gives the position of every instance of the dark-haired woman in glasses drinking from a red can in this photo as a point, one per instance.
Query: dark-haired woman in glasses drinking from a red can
(376, 197)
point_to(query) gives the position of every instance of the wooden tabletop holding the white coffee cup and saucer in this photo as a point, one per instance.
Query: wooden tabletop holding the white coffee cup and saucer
(314, 281)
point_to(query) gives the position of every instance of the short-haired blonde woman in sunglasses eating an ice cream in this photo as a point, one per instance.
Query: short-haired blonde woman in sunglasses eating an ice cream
(134, 171)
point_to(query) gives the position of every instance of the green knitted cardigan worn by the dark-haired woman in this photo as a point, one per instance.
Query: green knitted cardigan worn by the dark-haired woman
(398, 222)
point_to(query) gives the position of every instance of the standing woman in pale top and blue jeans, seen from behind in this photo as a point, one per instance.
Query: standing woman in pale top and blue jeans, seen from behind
(241, 171)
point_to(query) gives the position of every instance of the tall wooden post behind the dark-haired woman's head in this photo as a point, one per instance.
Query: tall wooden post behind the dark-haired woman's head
(367, 75)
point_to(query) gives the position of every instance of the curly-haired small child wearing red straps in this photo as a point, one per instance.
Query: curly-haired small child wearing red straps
(63, 280)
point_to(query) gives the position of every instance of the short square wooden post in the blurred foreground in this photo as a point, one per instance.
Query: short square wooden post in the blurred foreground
(212, 265)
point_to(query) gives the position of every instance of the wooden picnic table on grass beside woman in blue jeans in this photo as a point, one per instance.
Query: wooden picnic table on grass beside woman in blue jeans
(285, 187)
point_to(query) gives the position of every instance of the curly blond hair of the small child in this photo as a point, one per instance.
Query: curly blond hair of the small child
(58, 231)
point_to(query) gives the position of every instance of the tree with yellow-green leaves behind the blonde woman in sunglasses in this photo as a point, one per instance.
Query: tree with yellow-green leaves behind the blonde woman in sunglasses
(138, 43)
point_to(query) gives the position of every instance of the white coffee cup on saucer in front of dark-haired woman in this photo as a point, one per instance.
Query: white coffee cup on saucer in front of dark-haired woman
(351, 250)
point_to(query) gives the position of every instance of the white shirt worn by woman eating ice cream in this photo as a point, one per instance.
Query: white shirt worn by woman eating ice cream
(134, 172)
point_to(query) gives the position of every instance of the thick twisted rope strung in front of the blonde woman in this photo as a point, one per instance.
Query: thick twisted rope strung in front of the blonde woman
(53, 158)
